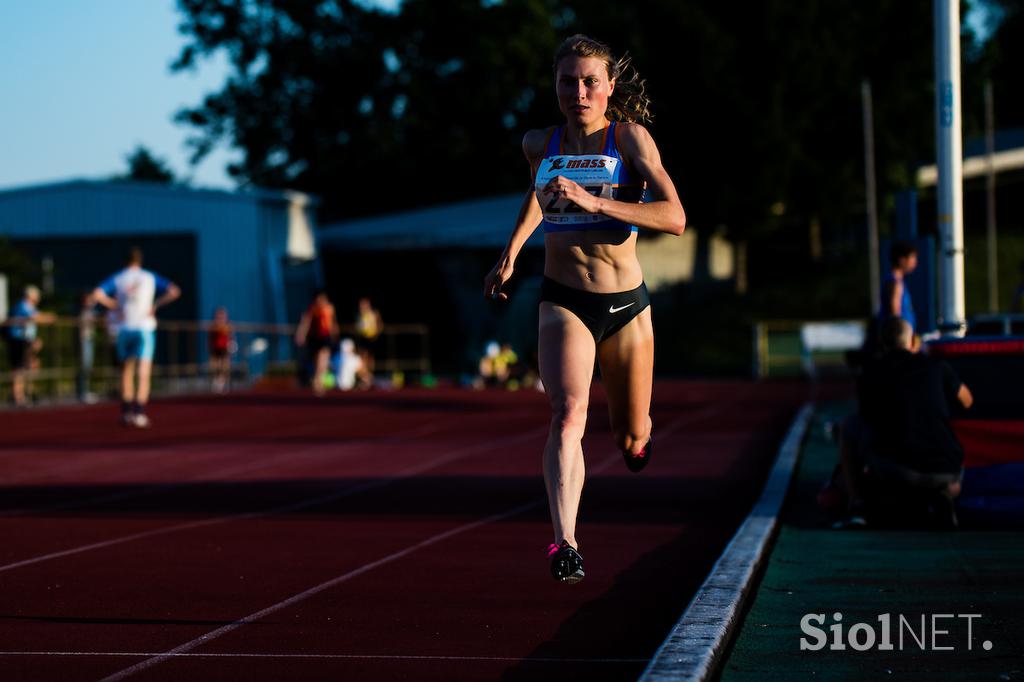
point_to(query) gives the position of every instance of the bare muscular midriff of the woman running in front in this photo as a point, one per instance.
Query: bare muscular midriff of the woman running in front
(600, 262)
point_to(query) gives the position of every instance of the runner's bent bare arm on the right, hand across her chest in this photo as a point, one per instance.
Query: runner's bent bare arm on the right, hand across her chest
(665, 214)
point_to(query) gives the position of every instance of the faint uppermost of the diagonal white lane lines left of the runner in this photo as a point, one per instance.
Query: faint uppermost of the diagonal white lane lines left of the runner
(334, 450)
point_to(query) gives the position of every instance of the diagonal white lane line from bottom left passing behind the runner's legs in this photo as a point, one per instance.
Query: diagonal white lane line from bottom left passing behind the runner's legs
(210, 636)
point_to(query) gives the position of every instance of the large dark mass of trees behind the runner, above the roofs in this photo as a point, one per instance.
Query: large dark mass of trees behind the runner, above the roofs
(757, 107)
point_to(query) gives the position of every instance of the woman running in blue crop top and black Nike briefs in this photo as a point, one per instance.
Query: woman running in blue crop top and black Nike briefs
(590, 176)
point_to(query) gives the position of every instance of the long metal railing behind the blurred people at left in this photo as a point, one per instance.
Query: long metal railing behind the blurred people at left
(75, 359)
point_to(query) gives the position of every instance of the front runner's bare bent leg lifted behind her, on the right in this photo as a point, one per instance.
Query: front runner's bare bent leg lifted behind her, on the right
(627, 362)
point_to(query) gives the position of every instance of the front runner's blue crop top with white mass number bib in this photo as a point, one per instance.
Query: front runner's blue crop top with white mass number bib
(603, 175)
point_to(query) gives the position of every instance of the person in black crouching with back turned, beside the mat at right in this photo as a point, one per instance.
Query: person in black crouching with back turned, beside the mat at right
(900, 448)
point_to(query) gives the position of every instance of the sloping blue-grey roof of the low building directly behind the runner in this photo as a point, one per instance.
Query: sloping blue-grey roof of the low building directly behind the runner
(476, 224)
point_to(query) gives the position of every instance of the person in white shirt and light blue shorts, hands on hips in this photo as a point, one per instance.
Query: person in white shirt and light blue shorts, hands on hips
(136, 295)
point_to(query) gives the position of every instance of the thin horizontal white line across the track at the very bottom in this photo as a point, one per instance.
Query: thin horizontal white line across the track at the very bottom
(328, 657)
